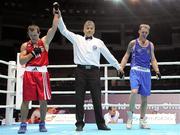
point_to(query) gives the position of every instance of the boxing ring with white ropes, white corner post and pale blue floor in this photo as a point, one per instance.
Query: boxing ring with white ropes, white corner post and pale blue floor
(13, 102)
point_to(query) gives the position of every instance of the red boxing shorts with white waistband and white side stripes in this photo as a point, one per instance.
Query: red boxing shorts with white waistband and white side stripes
(36, 84)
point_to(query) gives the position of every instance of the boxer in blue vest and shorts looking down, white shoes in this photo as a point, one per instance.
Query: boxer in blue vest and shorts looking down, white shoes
(142, 55)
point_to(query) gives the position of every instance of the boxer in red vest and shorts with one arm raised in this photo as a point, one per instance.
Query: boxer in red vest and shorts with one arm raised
(36, 82)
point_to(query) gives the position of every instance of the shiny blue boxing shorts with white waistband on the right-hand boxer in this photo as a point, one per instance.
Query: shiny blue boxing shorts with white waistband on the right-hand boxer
(140, 78)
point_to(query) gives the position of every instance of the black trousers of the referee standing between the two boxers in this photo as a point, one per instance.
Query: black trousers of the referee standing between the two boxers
(88, 77)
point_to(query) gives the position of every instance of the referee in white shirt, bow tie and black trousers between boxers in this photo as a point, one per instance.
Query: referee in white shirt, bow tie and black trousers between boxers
(87, 50)
